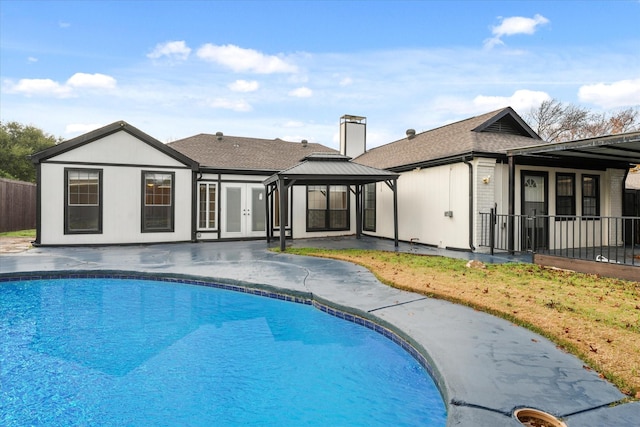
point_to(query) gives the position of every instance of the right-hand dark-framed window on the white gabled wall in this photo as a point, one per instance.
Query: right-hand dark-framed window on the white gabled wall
(157, 201)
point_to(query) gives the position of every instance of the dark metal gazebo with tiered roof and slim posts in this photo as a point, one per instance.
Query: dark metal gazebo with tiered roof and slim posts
(331, 169)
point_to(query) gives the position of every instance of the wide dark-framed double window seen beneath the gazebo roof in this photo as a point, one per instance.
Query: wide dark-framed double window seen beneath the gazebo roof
(327, 207)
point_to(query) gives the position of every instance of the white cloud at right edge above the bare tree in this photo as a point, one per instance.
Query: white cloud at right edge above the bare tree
(622, 93)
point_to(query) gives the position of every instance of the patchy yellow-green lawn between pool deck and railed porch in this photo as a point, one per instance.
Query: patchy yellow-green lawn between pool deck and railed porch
(594, 318)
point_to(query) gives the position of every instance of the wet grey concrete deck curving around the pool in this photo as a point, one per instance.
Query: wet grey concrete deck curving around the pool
(486, 367)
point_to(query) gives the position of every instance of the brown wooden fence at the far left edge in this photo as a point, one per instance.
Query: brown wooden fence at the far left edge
(17, 205)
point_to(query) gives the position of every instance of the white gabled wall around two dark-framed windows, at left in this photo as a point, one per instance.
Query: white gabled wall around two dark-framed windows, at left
(122, 159)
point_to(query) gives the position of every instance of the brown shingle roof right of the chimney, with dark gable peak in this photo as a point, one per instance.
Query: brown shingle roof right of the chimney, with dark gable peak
(492, 133)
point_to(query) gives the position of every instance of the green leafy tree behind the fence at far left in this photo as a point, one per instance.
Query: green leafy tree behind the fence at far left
(17, 143)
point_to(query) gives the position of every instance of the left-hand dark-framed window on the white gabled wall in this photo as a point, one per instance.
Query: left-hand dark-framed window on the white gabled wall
(83, 201)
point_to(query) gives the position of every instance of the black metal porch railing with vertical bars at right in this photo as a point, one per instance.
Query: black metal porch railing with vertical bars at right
(605, 239)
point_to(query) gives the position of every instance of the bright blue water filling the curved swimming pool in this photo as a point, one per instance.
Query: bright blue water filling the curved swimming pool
(114, 352)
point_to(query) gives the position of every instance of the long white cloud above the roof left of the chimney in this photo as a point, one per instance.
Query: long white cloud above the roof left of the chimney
(244, 60)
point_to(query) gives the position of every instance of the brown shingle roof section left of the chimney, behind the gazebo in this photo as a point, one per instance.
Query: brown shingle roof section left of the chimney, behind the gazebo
(239, 153)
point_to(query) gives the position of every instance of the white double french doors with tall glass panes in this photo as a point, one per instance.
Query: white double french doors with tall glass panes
(243, 210)
